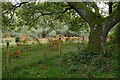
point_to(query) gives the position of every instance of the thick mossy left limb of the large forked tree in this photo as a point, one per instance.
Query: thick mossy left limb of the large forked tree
(83, 11)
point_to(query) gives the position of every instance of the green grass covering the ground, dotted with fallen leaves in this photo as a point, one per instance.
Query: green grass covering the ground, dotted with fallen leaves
(42, 61)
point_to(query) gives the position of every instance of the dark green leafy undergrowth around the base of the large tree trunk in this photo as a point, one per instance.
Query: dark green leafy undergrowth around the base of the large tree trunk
(90, 64)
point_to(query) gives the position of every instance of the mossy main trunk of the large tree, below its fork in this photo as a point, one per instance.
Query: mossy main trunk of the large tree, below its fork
(97, 39)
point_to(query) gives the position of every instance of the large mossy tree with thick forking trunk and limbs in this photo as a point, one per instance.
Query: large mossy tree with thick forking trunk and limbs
(99, 26)
